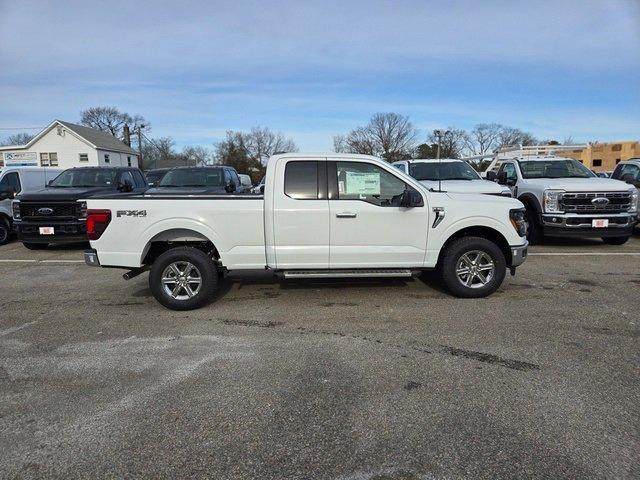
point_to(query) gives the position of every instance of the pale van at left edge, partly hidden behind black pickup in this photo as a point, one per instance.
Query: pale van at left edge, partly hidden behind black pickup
(14, 181)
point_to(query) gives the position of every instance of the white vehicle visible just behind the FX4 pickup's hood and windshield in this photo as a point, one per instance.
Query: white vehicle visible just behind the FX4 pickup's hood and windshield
(450, 175)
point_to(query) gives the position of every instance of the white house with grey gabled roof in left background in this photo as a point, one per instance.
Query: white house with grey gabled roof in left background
(66, 145)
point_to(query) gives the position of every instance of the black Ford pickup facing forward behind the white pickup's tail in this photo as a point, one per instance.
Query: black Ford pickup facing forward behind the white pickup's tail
(55, 214)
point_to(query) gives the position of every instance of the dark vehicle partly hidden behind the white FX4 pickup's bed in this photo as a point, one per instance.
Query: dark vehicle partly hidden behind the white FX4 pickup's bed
(199, 181)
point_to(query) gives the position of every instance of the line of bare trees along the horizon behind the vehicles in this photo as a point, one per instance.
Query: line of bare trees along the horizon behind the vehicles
(391, 136)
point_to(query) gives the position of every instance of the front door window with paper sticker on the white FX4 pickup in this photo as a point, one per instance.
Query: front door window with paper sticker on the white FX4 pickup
(369, 183)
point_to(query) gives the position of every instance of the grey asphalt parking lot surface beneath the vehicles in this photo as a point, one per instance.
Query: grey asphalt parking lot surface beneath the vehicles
(341, 380)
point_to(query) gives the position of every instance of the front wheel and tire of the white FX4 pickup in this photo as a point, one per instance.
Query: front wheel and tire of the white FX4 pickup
(453, 257)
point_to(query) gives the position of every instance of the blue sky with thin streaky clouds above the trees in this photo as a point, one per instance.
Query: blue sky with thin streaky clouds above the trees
(313, 69)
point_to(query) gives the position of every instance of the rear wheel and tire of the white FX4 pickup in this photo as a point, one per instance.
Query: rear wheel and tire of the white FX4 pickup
(185, 299)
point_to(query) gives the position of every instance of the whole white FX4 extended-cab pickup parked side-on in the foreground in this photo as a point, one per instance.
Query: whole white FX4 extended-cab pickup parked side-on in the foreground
(332, 215)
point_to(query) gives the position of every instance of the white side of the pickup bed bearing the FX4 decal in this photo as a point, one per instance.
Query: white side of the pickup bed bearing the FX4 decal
(138, 220)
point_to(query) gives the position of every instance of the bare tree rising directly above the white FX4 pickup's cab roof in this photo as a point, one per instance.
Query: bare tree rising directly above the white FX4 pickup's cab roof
(388, 135)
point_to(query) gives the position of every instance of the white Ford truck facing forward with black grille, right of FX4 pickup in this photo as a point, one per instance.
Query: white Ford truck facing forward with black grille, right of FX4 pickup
(564, 198)
